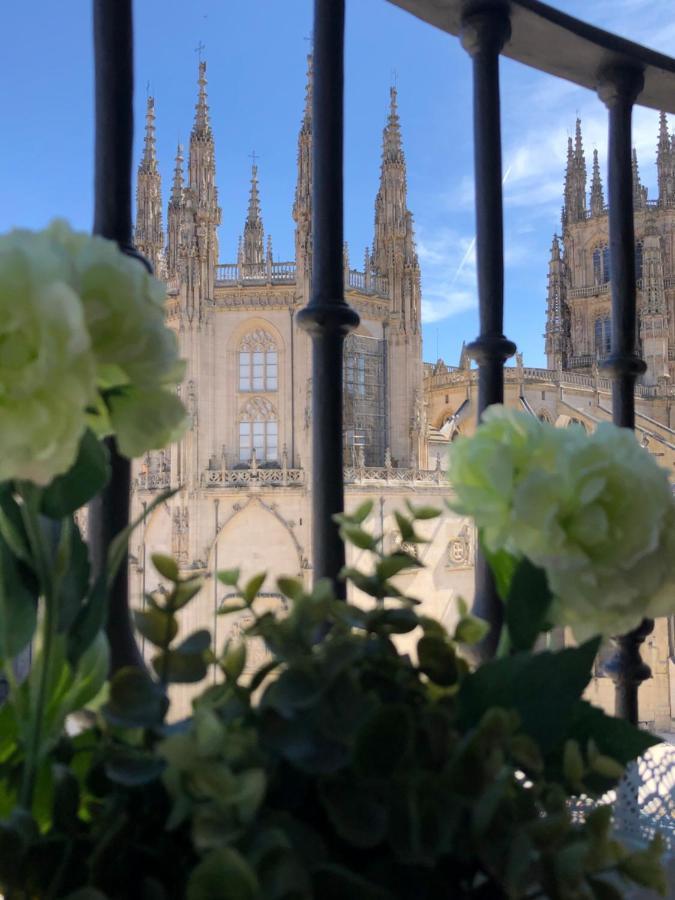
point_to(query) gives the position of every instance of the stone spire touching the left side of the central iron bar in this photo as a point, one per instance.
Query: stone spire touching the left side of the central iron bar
(302, 205)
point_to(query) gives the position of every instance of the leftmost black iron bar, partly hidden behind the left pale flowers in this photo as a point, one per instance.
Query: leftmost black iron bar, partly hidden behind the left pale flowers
(113, 66)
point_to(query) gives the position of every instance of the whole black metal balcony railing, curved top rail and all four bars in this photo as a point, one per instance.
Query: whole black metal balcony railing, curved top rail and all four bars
(621, 72)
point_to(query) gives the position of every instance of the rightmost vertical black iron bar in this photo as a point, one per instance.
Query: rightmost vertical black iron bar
(618, 88)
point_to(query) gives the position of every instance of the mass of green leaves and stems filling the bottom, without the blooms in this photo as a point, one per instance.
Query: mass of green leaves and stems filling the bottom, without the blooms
(365, 758)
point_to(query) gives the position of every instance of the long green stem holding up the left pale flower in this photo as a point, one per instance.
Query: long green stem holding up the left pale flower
(40, 553)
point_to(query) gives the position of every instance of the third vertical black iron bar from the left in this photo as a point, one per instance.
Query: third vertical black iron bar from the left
(483, 36)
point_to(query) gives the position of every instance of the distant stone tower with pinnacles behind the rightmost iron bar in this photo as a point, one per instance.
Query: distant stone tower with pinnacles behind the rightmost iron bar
(578, 322)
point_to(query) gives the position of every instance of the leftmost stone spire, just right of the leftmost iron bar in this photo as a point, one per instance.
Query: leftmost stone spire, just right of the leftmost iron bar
(149, 237)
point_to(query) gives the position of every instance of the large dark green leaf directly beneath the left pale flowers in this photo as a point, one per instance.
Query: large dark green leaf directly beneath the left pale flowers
(85, 479)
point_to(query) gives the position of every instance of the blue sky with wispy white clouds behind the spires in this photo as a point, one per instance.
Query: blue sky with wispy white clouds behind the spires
(256, 52)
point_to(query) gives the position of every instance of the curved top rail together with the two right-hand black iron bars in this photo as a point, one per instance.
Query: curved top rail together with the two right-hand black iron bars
(622, 73)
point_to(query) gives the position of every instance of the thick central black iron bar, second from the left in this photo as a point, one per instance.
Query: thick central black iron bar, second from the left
(327, 317)
